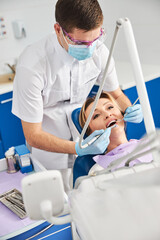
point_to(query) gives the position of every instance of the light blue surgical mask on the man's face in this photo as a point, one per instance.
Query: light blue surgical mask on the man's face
(81, 52)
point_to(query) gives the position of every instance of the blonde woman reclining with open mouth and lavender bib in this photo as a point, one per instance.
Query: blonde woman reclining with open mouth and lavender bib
(107, 114)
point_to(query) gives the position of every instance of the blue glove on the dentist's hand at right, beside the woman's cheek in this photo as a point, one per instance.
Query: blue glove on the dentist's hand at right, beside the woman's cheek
(133, 114)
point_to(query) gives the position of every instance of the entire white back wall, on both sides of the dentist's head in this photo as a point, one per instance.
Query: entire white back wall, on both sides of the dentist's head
(38, 16)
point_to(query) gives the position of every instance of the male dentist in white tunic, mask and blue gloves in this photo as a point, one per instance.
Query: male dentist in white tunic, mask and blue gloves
(55, 75)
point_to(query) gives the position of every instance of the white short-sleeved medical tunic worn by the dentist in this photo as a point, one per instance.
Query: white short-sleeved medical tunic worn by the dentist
(50, 84)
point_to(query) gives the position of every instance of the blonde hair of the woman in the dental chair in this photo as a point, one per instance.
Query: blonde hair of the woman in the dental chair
(82, 116)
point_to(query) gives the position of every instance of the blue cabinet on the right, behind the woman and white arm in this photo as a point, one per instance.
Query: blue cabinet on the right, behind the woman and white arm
(153, 87)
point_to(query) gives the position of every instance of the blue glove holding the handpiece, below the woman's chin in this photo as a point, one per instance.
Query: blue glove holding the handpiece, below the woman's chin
(98, 146)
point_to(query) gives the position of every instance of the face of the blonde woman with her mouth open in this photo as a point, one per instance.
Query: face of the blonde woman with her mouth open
(105, 115)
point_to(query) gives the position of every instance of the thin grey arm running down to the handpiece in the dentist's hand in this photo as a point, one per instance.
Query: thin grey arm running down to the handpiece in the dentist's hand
(98, 93)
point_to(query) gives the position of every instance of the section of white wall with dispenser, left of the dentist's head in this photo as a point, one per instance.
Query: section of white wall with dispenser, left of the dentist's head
(38, 17)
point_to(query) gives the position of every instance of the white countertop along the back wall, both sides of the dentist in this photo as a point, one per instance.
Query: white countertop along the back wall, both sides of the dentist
(124, 72)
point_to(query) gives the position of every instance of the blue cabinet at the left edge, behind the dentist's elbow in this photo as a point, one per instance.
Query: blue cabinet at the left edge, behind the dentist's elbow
(11, 133)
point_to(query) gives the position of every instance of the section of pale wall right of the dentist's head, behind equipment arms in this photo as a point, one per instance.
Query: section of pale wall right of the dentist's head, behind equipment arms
(145, 19)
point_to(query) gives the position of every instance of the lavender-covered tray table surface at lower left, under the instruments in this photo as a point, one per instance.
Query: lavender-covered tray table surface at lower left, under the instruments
(11, 181)
